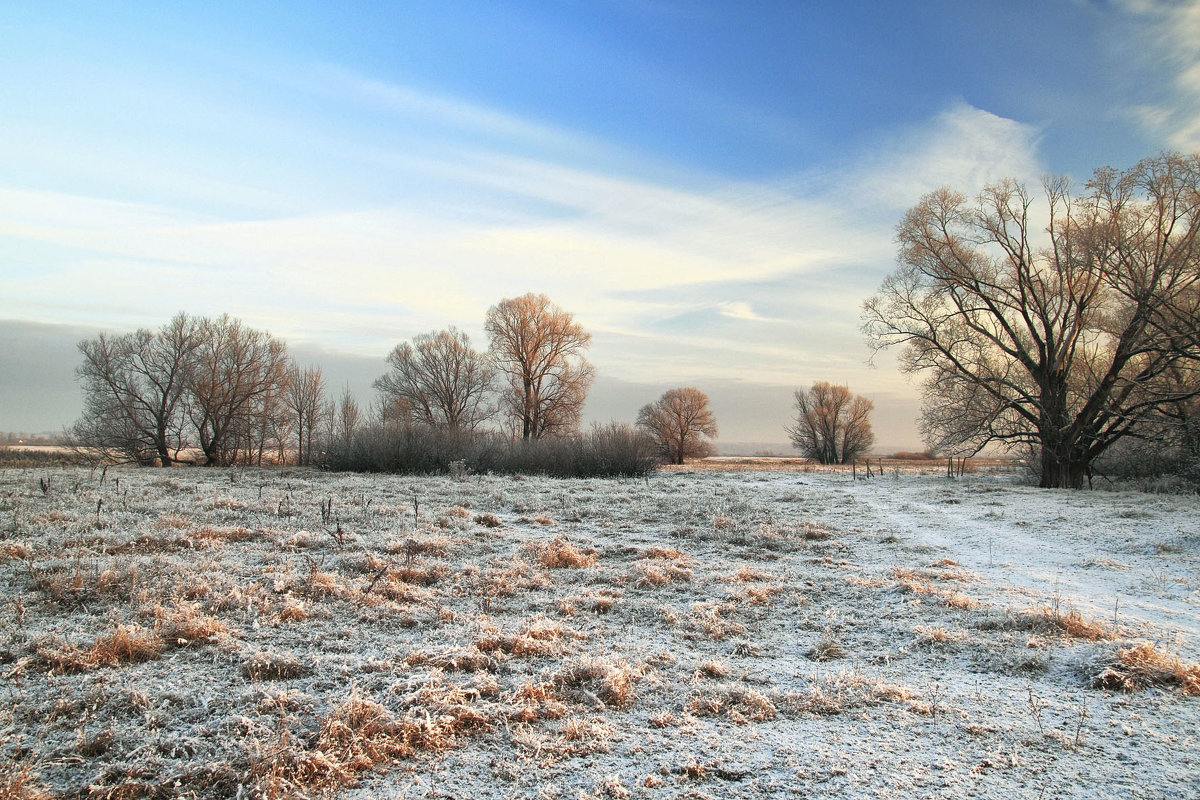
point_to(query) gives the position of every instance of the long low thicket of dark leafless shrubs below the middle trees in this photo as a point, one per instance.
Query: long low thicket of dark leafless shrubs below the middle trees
(607, 452)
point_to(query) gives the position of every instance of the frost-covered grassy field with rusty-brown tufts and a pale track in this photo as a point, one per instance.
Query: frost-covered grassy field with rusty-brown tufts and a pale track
(704, 634)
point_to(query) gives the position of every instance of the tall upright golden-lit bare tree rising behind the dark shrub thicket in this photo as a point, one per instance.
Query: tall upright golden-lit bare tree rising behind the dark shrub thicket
(539, 348)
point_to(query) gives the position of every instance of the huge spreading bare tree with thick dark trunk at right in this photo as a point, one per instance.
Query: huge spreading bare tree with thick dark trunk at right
(1057, 341)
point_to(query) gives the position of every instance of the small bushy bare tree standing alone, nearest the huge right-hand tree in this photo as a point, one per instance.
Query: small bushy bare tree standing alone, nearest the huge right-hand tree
(832, 425)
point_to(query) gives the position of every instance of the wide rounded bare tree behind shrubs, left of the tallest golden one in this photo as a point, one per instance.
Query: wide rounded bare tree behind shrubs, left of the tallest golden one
(440, 380)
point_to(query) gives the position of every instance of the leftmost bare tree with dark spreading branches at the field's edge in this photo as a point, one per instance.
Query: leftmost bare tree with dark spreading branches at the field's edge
(134, 392)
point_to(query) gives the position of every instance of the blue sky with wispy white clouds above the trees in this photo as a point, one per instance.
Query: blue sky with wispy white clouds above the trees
(712, 189)
